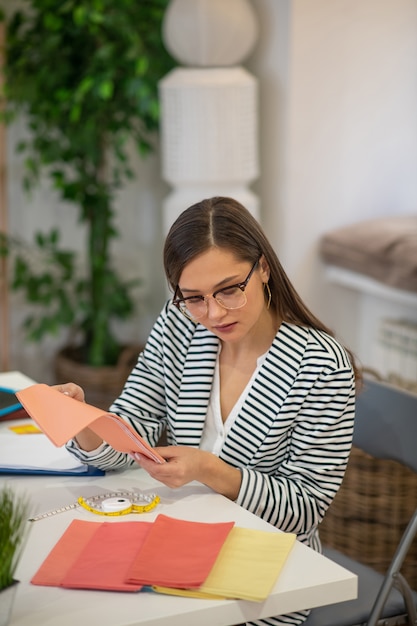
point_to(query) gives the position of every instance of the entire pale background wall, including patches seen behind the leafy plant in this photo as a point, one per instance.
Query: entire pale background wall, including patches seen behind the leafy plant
(338, 143)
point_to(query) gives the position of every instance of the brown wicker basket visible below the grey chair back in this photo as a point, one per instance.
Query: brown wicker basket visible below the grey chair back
(371, 511)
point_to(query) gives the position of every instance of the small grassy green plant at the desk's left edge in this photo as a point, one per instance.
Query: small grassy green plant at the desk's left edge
(14, 511)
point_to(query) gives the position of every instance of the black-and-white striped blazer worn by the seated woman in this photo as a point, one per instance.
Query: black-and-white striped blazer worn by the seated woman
(292, 437)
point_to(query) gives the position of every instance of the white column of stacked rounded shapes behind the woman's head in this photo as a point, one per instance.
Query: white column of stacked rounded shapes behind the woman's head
(209, 109)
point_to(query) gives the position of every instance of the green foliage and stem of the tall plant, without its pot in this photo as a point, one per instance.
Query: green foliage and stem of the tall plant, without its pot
(85, 78)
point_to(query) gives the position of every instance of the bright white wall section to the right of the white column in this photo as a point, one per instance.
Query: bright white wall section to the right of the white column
(339, 133)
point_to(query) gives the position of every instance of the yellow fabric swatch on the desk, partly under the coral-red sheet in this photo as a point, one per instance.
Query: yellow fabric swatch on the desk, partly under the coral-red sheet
(248, 564)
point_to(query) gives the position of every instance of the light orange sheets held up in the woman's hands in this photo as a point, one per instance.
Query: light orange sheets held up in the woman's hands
(61, 418)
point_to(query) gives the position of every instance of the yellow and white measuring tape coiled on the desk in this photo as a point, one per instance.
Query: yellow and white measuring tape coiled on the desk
(111, 503)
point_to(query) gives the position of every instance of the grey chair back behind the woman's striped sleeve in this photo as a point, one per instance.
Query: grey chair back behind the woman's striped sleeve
(386, 422)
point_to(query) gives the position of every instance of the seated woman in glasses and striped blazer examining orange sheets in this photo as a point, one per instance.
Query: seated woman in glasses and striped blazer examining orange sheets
(256, 395)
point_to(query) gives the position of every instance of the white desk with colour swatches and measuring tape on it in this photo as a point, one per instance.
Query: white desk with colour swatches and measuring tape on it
(307, 580)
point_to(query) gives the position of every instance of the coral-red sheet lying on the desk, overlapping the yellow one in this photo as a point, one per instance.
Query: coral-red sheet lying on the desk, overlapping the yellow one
(178, 553)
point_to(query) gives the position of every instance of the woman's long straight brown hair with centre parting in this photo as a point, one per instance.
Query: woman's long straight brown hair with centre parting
(225, 223)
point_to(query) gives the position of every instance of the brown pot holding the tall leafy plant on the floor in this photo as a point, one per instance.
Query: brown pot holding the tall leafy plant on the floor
(101, 384)
